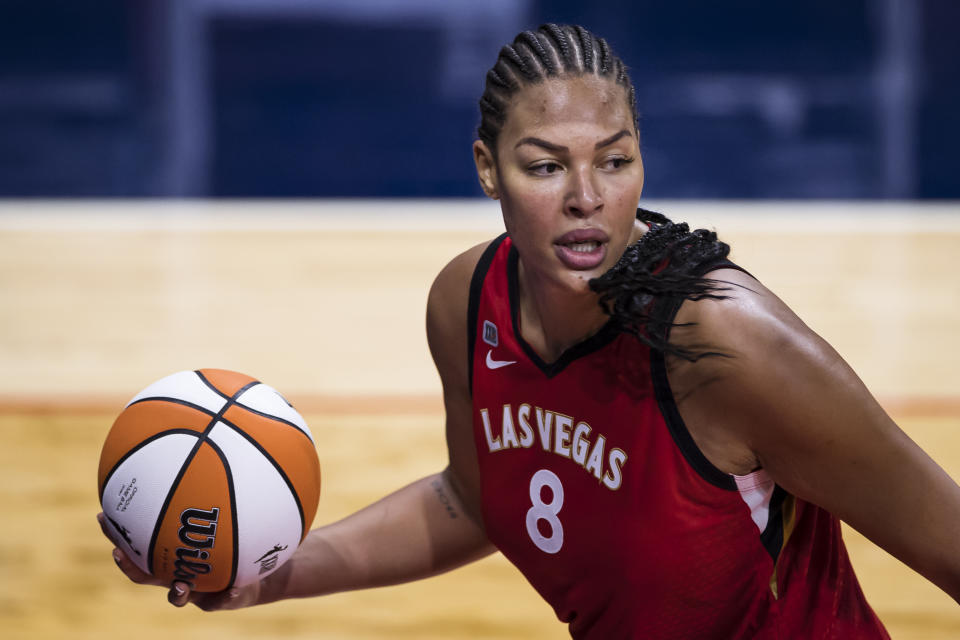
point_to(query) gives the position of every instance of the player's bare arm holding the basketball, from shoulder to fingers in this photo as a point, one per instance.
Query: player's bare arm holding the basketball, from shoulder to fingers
(428, 527)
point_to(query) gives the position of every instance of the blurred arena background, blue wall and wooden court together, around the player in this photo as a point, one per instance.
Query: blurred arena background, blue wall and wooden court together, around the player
(270, 186)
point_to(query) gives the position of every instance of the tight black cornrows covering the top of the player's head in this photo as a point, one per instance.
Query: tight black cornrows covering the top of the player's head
(533, 56)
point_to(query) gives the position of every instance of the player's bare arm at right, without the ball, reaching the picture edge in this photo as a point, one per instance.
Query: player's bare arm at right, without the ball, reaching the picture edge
(807, 418)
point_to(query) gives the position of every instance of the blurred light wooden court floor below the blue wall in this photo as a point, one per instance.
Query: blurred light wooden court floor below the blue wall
(325, 302)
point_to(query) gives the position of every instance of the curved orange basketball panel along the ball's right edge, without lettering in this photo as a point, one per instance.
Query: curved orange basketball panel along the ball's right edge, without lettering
(292, 450)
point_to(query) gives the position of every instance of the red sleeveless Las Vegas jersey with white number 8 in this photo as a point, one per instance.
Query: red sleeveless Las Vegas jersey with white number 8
(593, 487)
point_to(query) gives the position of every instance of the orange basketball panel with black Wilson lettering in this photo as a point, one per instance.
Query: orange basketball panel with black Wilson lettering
(196, 540)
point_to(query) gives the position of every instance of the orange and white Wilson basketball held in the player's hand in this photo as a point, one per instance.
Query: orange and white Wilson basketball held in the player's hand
(209, 477)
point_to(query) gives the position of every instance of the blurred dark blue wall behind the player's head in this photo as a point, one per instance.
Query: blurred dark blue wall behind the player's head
(373, 98)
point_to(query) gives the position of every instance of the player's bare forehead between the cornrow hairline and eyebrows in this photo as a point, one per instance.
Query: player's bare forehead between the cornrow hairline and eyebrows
(573, 101)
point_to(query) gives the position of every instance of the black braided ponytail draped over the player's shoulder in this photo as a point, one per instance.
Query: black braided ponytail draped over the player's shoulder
(663, 266)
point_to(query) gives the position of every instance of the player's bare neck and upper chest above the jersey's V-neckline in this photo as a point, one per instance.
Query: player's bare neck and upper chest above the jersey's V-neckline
(553, 319)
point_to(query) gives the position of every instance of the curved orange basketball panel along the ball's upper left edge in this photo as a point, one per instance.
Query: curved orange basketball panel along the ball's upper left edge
(141, 421)
